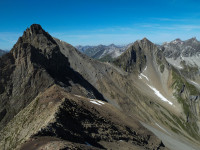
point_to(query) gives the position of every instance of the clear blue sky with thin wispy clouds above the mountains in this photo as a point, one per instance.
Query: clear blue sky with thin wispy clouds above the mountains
(92, 22)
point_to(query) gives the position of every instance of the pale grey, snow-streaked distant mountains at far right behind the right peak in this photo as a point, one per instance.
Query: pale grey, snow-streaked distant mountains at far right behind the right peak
(184, 55)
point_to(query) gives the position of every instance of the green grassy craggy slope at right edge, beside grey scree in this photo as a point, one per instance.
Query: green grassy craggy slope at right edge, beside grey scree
(188, 96)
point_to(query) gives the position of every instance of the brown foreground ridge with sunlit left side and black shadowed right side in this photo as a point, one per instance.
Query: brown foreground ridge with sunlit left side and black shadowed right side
(75, 119)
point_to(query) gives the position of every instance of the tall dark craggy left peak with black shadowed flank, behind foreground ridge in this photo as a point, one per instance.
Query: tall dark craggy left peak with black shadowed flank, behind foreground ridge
(34, 64)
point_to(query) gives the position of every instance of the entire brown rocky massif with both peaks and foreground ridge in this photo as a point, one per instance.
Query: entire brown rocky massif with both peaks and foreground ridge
(54, 97)
